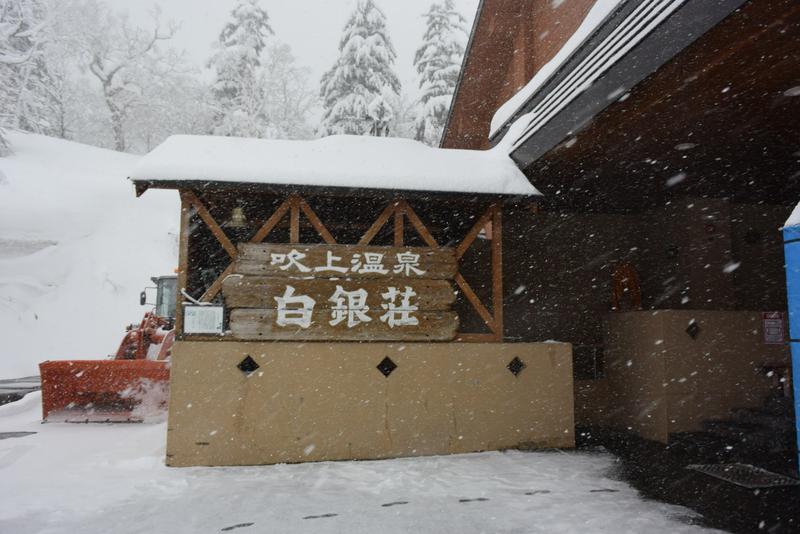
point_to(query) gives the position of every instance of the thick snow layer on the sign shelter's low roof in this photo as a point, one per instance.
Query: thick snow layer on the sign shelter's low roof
(335, 161)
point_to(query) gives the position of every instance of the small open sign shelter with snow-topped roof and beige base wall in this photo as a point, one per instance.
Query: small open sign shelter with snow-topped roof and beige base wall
(345, 298)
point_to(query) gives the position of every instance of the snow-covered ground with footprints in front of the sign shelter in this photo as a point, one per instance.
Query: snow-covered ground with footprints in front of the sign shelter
(111, 478)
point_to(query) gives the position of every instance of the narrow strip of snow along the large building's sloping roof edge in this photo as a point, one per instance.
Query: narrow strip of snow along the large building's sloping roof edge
(596, 15)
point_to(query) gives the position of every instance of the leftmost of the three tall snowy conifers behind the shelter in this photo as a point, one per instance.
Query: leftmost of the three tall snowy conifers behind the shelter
(237, 91)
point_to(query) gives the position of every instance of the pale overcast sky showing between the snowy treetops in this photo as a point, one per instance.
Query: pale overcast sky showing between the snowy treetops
(311, 27)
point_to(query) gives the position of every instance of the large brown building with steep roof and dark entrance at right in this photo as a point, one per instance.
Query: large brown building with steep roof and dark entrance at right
(663, 136)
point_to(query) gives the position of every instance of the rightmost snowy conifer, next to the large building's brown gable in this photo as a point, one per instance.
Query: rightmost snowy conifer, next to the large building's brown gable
(438, 62)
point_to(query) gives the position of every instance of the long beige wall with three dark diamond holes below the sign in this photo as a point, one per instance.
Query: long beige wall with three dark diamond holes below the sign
(327, 401)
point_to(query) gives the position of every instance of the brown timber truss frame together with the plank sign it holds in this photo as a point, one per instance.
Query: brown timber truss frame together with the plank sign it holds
(253, 282)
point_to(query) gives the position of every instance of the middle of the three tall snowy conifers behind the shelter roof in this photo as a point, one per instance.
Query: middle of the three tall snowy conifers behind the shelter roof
(357, 92)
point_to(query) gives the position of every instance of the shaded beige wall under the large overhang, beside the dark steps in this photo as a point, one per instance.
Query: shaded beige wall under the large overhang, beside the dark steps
(659, 380)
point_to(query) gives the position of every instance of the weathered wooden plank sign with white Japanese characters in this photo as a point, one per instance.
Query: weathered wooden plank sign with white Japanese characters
(341, 292)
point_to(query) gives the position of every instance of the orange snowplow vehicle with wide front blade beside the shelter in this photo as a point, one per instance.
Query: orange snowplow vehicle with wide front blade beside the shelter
(130, 386)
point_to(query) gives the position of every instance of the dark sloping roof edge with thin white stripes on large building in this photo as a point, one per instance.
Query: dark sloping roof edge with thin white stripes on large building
(564, 106)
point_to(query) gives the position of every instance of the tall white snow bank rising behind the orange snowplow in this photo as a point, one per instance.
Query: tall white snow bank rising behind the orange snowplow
(76, 247)
